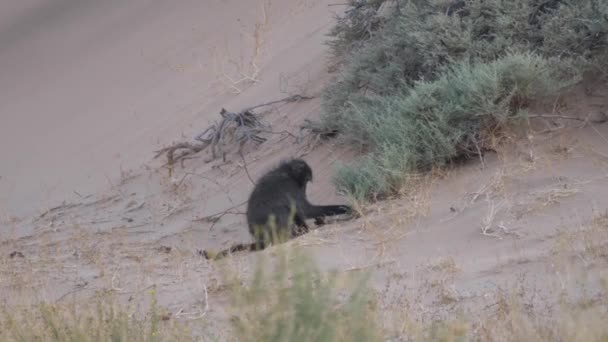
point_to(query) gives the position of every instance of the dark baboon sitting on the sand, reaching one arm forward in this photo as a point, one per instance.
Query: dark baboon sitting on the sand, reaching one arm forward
(278, 207)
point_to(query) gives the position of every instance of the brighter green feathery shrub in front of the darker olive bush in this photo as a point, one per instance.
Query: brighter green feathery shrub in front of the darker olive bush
(440, 120)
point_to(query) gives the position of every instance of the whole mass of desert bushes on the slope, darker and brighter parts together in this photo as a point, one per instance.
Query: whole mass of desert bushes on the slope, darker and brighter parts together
(380, 97)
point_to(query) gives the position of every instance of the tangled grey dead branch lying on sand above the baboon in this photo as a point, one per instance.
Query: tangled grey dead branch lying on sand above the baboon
(234, 128)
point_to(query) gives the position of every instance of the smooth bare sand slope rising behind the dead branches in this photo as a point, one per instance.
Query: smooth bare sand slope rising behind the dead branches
(90, 88)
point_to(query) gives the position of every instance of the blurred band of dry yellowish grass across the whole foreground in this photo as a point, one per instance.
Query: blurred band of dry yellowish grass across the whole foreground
(287, 298)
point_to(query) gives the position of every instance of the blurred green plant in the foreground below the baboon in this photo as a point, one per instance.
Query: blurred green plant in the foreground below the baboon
(296, 302)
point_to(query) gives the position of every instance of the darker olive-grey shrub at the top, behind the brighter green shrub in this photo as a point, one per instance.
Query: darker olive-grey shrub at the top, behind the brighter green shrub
(422, 40)
